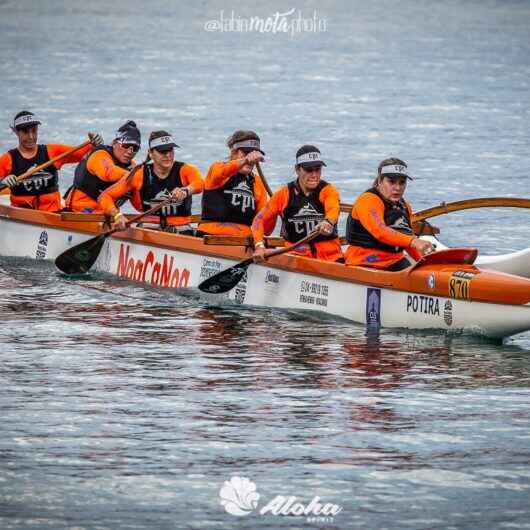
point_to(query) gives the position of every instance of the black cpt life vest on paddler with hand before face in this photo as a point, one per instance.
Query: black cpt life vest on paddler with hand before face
(234, 202)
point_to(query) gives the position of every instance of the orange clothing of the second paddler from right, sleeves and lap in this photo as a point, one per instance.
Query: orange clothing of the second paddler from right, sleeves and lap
(265, 220)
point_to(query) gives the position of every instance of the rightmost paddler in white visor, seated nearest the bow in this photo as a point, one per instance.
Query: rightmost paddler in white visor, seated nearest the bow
(379, 228)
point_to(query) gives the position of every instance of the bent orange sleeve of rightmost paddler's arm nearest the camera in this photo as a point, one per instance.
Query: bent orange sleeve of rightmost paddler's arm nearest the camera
(370, 211)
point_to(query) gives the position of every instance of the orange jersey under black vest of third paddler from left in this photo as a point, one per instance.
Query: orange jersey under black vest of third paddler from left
(190, 177)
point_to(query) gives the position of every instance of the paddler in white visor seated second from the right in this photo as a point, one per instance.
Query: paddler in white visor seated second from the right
(305, 205)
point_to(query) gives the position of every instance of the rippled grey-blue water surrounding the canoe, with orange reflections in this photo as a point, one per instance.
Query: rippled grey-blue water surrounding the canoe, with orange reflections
(128, 407)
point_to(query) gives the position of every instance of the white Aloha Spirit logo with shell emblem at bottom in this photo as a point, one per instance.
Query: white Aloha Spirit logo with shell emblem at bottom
(239, 497)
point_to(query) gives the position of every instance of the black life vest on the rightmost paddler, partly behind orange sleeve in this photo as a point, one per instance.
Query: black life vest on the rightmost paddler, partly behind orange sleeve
(396, 216)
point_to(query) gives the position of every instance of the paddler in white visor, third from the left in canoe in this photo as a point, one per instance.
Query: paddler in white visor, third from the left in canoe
(160, 177)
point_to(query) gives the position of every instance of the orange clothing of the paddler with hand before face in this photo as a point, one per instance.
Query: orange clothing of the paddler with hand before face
(218, 175)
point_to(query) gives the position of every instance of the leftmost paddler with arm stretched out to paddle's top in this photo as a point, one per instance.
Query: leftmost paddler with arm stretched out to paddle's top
(41, 190)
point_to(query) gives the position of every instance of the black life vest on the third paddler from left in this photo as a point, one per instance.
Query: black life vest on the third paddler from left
(155, 190)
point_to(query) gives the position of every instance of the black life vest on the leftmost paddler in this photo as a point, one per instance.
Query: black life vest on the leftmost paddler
(42, 182)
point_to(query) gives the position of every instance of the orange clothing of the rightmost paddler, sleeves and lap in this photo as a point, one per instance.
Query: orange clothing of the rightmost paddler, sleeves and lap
(369, 210)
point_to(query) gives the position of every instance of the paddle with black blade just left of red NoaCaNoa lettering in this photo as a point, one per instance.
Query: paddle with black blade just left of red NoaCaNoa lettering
(79, 259)
